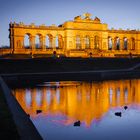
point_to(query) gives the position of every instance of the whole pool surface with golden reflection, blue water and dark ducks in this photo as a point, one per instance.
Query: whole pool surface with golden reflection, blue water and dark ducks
(70, 110)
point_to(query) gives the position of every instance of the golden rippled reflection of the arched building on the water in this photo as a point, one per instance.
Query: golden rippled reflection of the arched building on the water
(82, 101)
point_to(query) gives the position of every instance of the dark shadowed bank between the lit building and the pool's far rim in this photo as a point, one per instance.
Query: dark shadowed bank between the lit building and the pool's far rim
(64, 64)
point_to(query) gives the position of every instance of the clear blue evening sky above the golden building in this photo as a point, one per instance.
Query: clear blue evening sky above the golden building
(116, 13)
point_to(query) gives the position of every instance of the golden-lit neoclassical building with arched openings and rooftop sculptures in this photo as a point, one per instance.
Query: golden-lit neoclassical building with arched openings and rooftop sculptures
(81, 37)
